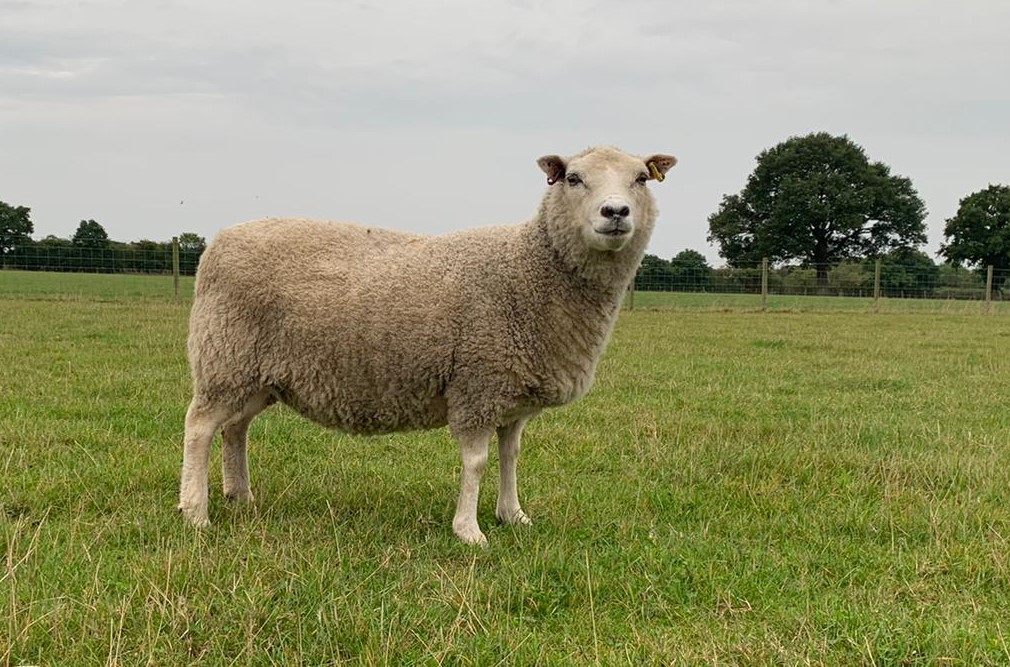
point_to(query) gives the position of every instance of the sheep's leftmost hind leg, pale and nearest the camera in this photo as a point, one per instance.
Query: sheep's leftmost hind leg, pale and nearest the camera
(203, 422)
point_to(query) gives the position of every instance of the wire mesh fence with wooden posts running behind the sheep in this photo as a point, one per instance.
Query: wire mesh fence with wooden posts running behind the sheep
(152, 270)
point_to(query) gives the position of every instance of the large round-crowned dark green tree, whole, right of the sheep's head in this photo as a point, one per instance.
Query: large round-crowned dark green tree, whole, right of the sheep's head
(818, 200)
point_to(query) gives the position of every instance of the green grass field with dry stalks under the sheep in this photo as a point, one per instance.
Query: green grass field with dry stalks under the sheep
(740, 489)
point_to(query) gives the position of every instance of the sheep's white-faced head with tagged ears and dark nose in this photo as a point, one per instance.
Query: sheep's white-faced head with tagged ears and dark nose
(605, 192)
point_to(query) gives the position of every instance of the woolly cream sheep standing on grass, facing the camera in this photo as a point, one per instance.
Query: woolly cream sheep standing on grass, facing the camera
(370, 331)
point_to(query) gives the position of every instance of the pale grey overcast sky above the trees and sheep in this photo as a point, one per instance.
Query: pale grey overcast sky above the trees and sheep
(159, 118)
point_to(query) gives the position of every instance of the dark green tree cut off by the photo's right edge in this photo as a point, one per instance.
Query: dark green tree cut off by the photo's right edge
(979, 235)
